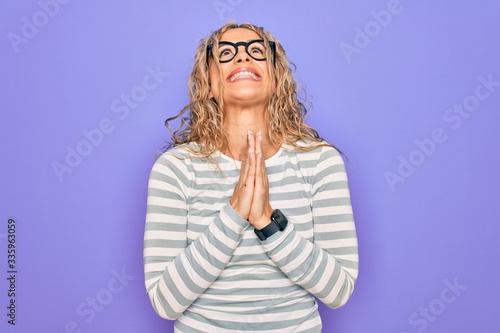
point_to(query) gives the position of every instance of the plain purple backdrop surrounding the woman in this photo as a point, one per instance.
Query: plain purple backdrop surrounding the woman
(435, 227)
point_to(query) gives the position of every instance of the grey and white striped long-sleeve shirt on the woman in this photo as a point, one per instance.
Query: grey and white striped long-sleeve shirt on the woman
(206, 268)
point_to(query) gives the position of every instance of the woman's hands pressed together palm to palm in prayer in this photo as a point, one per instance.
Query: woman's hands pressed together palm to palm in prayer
(251, 194)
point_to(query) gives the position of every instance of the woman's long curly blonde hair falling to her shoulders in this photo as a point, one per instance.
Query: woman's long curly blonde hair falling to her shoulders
(204, 125)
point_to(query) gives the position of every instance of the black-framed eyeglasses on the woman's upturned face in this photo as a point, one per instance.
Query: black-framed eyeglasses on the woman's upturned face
(256, 49)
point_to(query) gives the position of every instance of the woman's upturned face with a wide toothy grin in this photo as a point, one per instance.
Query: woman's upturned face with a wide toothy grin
(245, 79)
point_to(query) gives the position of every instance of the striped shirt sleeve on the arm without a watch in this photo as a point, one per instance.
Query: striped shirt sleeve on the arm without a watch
(177, 273)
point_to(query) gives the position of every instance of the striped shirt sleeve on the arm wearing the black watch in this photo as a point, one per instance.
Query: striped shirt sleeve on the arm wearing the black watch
(327, 267)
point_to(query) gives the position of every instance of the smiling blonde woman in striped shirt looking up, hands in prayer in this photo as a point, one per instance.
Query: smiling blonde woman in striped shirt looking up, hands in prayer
(249, 215)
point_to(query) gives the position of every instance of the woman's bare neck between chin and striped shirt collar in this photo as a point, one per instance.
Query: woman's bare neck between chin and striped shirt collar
(236, 124)
